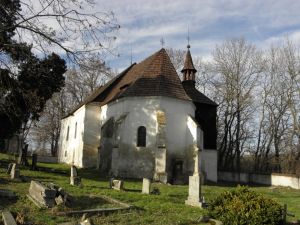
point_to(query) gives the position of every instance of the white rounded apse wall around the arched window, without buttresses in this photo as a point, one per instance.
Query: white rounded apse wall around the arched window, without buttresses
(142, 111)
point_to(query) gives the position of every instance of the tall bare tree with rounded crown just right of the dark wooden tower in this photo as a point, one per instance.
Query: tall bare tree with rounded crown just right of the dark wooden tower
(237, 65)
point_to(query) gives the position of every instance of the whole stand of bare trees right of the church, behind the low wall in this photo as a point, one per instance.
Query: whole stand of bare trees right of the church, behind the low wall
(259, 99)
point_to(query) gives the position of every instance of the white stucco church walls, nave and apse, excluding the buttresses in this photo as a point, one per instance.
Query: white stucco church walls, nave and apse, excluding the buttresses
(181, 131)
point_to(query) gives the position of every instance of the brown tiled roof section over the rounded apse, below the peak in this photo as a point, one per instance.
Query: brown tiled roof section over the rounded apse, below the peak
(155, 76)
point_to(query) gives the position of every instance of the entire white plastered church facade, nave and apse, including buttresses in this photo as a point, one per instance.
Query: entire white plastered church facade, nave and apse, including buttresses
(181, 136)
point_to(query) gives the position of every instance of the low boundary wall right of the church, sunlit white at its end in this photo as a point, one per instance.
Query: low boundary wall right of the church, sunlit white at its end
(273, 179)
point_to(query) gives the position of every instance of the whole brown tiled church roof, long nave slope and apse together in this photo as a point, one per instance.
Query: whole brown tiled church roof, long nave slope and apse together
(154, 76)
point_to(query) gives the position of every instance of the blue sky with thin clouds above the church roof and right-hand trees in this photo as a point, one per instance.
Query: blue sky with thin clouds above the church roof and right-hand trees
(210, 22)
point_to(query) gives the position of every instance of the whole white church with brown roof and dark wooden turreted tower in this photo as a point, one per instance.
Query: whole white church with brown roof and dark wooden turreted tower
(145, 122)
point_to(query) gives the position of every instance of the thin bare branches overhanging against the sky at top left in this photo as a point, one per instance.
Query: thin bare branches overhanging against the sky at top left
(72, 28)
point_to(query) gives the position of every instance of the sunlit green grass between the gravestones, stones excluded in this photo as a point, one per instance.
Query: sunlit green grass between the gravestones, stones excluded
(166, 208)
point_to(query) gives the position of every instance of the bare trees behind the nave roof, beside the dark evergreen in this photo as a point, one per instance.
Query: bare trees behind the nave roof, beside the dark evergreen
(79, 84)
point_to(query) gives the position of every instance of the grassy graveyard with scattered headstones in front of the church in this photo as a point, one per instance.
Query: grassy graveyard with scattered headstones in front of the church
(49, 196)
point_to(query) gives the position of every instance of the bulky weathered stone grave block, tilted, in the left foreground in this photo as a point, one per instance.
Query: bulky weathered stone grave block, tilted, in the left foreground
(41, 194)
